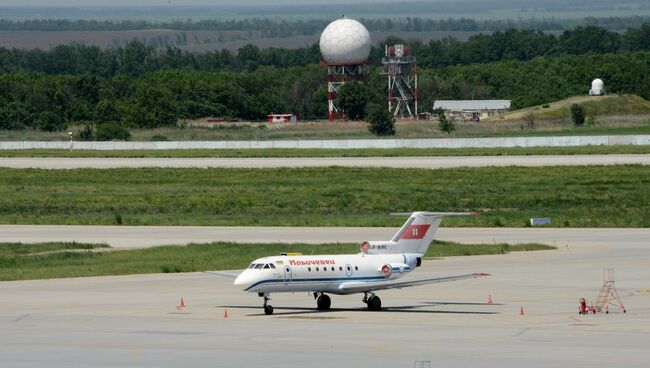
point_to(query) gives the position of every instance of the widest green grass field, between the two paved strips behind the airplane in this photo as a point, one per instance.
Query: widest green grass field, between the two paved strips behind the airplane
(581, 196)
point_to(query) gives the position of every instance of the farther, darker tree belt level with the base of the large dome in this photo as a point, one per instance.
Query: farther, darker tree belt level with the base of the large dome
(136, 59)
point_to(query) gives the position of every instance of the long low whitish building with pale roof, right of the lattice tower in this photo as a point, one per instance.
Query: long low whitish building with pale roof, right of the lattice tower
(472, 109)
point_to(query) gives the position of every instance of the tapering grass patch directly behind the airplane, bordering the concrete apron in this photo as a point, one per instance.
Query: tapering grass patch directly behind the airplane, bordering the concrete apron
(27, 261)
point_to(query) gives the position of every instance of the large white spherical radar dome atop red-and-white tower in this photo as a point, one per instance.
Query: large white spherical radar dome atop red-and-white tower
(345, 41)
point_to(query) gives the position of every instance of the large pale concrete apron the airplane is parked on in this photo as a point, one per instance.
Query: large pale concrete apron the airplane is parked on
(132, 320)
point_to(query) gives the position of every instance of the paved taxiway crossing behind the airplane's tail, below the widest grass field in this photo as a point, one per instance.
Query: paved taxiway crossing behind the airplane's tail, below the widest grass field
(147, 236)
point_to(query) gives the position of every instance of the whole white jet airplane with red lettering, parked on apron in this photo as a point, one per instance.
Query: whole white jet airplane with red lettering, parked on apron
(380, 265)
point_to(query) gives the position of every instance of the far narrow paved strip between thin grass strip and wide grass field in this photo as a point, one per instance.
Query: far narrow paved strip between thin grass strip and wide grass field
(398, 162)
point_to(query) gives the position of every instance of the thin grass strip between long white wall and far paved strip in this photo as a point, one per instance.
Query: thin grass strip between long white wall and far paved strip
(404, 152)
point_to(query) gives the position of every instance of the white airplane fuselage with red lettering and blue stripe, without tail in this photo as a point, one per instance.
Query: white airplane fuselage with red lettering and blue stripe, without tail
(326, 273)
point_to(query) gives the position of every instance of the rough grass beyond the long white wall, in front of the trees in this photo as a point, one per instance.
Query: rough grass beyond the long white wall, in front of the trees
(625, 122)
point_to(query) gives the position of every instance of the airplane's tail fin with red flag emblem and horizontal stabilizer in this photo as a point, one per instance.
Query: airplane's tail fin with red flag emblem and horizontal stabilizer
(415, 235)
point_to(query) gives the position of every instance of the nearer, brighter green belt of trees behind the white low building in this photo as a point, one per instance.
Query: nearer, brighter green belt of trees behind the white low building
(162, 97)
